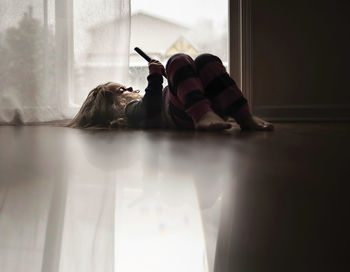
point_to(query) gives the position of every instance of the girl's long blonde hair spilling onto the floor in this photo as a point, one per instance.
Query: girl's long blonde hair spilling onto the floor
(103, 109)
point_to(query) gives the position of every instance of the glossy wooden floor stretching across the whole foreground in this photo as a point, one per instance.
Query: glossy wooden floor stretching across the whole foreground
(263, 201)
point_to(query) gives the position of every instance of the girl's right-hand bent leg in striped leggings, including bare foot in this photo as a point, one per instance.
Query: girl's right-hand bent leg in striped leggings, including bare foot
(226, 98)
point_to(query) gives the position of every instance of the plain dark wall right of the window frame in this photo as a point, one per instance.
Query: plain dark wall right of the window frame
(301, 54)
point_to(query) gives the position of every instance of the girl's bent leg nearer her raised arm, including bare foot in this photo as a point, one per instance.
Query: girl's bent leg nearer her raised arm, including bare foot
(188, 105)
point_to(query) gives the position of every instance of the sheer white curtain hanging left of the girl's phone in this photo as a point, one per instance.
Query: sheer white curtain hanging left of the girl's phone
(52, 52)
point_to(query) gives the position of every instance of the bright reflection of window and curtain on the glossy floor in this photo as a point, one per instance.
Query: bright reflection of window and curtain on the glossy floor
(74, 200)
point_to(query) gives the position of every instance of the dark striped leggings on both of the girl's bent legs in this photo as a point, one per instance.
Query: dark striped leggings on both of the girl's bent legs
(202, 85)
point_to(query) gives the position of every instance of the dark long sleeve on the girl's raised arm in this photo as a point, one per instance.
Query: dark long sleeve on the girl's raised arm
(146, 113)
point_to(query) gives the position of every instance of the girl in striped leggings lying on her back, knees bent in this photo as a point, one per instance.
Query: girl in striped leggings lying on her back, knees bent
(200, 95)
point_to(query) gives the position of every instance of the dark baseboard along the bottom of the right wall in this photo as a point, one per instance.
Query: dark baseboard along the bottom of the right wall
(291, 113)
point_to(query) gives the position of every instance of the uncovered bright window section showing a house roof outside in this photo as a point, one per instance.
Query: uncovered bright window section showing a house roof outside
(163, 28)
